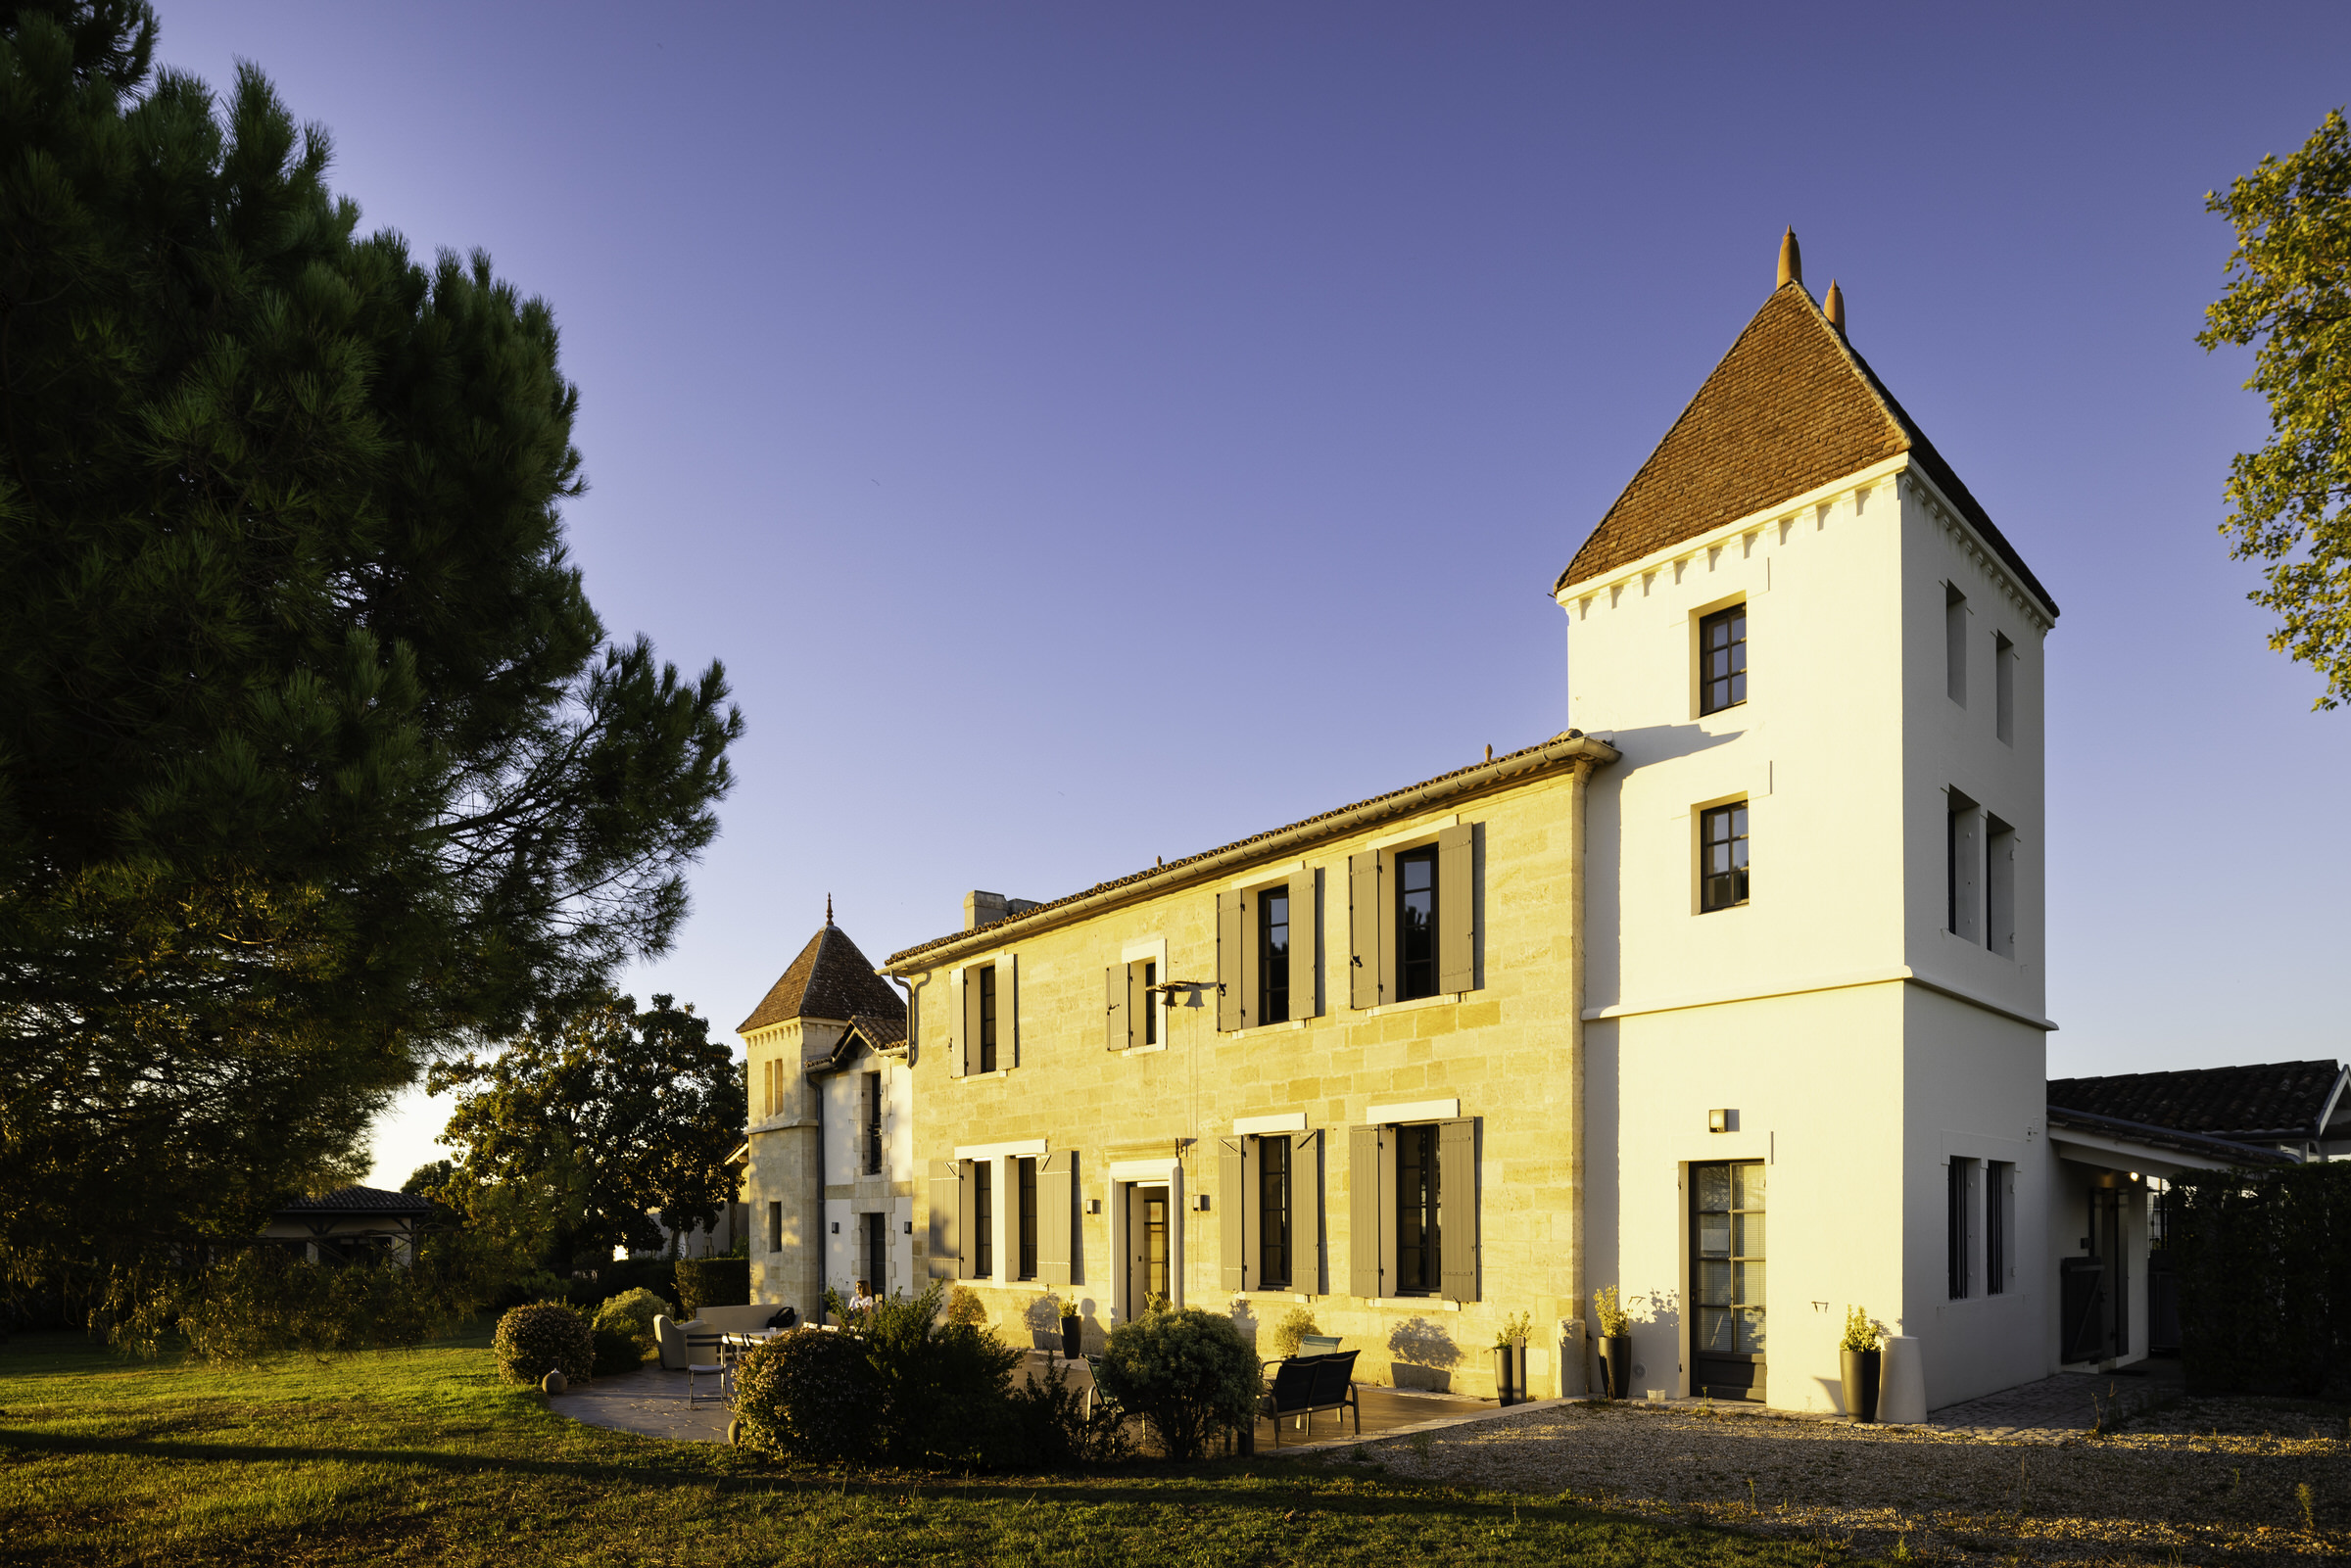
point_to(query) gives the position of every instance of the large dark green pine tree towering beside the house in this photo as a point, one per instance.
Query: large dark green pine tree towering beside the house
(314, 756)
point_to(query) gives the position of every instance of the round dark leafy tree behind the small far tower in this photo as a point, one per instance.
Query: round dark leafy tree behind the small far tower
(641, 1111)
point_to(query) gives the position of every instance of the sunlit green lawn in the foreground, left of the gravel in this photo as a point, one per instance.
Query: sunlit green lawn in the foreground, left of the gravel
(427, 1459)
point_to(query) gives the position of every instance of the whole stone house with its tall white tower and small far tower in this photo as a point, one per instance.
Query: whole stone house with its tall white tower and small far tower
(1729, 996)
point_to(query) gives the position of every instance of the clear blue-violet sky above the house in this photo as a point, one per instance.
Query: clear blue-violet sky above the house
(1033, 406)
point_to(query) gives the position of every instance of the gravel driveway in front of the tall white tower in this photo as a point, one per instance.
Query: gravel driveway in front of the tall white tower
(2195, 1482)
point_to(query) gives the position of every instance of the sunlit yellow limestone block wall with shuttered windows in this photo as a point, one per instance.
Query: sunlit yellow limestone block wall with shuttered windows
(1503, 1052)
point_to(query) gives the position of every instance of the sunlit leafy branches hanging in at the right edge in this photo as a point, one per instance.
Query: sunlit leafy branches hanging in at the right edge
(2291, 293)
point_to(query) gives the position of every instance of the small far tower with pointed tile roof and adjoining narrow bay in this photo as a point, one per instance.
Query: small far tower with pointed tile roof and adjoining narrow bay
(826, 1019)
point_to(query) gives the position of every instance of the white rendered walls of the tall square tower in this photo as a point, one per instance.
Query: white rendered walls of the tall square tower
(1800, 1012)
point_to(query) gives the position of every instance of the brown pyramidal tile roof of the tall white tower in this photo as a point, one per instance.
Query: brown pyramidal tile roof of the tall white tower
(1788, 410)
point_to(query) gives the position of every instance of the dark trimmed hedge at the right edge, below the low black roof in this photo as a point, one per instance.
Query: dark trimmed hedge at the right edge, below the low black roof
(2265, 1280)
